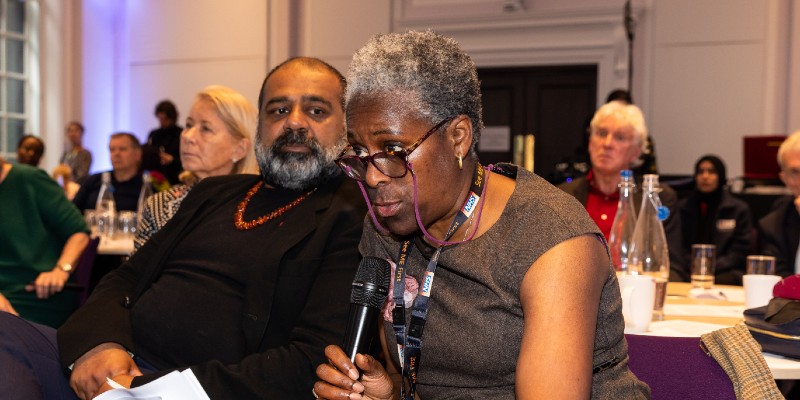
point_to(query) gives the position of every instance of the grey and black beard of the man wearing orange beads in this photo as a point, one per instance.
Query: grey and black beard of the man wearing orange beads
(296, 171)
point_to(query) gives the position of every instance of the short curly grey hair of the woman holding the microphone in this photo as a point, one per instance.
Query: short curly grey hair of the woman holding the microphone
(432, 67)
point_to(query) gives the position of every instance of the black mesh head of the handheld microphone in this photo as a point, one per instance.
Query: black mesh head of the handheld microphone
(371, 284)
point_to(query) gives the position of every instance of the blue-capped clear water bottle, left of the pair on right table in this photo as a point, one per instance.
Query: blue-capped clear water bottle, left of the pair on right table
(624, 223)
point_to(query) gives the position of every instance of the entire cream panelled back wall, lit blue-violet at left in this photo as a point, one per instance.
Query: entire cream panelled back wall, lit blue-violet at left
(706, 72)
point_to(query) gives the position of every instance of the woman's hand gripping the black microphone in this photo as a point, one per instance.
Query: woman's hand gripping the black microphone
(339, 378)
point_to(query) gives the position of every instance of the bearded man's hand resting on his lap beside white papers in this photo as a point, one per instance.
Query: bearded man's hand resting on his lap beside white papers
(91, 369)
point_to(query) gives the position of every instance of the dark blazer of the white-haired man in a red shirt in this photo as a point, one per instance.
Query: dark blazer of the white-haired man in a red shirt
(678, 270)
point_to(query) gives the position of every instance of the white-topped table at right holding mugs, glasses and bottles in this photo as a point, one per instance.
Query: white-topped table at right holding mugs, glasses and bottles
(687, 316)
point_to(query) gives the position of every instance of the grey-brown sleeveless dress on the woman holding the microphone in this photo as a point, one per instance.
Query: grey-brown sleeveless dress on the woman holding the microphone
(475, 322)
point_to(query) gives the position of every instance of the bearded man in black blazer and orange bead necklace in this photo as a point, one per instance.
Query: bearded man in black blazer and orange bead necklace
(249, 280)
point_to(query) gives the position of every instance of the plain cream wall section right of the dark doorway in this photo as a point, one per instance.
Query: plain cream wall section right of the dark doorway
(718, 74)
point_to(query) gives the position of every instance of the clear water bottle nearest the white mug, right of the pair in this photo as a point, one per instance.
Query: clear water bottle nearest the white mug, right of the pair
(649, 254)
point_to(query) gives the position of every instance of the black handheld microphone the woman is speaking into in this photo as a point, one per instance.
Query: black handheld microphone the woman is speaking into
(370, 287)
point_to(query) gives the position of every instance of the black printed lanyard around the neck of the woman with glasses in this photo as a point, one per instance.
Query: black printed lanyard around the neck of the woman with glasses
(409, 345)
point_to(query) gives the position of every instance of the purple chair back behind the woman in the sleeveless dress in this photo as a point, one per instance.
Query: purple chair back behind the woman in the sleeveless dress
(677, 368)
